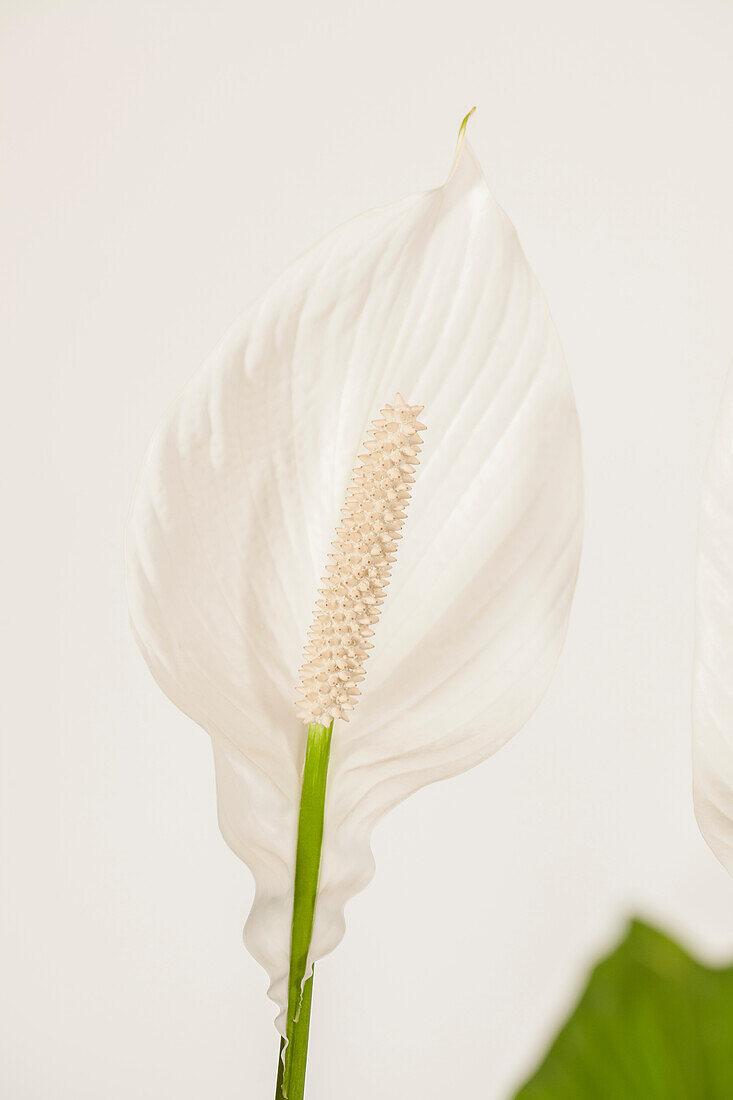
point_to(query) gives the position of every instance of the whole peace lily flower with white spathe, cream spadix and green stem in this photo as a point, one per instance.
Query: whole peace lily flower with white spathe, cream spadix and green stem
(354, 546)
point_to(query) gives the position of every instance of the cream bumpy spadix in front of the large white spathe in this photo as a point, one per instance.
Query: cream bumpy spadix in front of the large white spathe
(360, 566)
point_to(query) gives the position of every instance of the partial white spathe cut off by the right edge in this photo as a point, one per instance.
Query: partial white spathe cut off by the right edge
(713, 681)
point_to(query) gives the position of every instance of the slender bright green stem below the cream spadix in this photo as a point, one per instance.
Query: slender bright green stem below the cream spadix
(293, 1054)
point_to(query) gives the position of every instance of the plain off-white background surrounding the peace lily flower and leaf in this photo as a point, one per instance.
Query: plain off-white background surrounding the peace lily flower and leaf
(162, 161)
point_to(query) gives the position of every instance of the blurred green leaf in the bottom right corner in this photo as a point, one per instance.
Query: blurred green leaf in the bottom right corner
(653, 1025)
